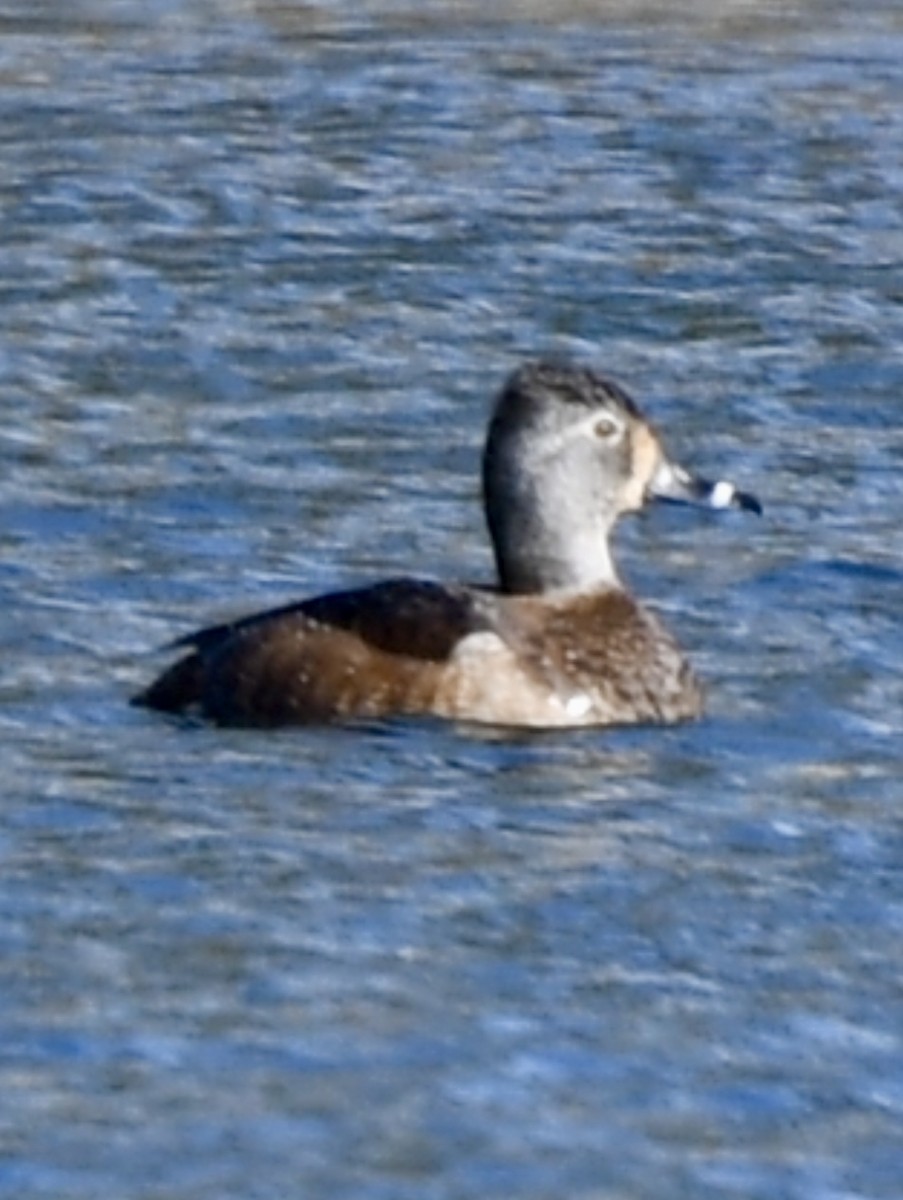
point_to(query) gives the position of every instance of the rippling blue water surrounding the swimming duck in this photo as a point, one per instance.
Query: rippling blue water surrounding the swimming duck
(264, 267)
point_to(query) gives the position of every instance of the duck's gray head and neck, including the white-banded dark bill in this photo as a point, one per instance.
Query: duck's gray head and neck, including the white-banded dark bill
(567, 454)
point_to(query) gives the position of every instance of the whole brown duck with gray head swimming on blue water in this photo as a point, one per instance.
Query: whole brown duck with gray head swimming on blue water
(557, 643)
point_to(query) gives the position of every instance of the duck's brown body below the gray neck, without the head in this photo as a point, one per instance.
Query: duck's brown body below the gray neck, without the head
(412, 649)
